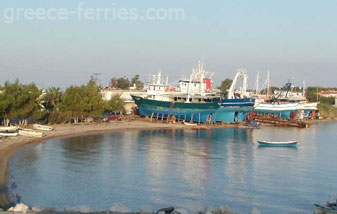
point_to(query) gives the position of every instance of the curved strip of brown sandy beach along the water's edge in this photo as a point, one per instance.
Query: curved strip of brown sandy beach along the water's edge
(9, 146)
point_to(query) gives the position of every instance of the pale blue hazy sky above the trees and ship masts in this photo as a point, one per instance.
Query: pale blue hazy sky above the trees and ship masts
(295, 39)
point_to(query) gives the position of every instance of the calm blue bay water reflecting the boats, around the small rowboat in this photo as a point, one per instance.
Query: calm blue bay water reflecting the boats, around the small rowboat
(182, 168)
